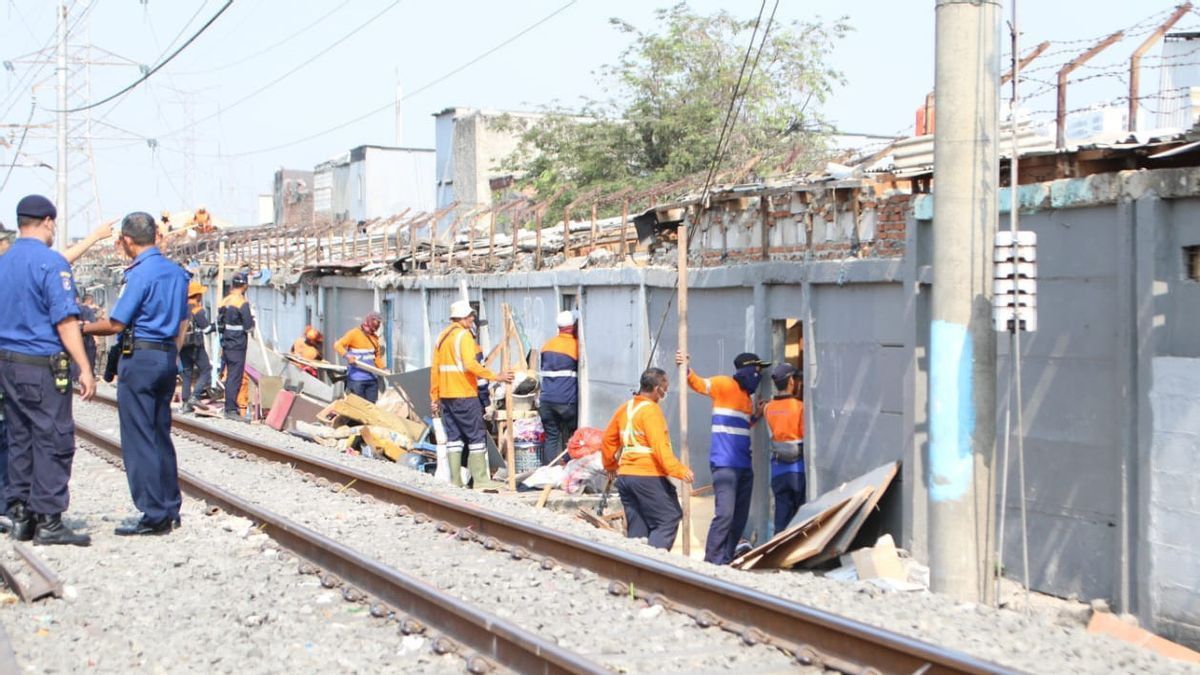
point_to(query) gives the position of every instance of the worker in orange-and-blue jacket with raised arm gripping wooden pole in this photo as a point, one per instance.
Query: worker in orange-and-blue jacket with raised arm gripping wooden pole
(730, 453)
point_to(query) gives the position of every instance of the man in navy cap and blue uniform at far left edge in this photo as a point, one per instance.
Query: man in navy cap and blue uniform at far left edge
(37, 336)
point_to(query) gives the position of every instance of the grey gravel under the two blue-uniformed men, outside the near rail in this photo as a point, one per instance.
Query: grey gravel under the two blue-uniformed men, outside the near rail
(212, 598)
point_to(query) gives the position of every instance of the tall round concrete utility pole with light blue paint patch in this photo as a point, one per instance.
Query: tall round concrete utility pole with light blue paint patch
(963, 347)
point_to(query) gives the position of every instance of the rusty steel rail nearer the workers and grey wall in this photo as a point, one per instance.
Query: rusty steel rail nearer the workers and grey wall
(814, 636)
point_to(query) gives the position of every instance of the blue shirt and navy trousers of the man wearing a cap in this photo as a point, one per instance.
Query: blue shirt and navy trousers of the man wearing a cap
(41, 428)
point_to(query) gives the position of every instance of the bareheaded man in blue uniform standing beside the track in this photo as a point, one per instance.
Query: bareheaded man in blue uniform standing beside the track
(153, 304)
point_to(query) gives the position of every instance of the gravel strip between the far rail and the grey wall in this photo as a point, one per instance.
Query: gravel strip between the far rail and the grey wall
(1048, 642)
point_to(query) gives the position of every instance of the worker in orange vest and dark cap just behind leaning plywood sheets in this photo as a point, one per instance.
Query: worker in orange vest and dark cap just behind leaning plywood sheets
(785, 417)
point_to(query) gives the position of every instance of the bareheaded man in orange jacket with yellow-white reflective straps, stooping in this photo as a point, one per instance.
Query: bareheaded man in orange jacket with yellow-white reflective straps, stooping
(638, 450)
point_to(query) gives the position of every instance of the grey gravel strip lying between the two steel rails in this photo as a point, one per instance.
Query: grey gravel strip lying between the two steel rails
(574, 608)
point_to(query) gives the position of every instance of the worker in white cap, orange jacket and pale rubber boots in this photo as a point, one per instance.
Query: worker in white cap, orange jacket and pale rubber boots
(454, 392)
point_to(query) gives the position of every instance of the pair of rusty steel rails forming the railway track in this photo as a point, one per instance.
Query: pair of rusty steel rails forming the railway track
(812, 637)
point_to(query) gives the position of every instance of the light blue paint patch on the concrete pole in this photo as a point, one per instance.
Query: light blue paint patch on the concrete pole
(951, 411)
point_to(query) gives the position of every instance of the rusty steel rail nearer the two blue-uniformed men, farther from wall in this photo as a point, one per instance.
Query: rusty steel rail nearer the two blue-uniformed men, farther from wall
(488, 635)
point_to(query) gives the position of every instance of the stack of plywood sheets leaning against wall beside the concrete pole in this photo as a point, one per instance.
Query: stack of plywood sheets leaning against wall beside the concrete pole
(825, 528)
